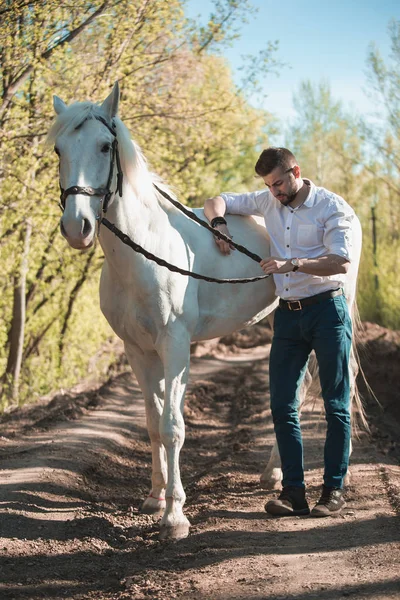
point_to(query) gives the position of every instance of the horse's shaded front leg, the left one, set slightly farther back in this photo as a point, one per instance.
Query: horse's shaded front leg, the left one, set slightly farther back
(149, 372)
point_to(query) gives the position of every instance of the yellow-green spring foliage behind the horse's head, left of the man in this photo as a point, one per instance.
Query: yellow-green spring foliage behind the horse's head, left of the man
(178, 99)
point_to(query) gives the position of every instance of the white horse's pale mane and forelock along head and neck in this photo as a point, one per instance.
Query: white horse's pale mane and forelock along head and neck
(133, 162)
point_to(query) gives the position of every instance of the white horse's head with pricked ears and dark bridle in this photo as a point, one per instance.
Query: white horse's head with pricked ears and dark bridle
(85, 140)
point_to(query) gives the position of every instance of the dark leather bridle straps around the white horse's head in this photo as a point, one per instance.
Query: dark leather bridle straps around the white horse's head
(105, 193)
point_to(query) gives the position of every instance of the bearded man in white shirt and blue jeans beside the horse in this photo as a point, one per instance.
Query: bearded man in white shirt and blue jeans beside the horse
(310, 230)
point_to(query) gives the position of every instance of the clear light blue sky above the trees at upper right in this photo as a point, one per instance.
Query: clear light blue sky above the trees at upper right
(317, 40)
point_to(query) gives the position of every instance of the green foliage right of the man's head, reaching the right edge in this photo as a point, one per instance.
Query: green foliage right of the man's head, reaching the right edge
(360, 160)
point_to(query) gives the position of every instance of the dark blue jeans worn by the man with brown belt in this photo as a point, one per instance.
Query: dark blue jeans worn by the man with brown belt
(326, 329)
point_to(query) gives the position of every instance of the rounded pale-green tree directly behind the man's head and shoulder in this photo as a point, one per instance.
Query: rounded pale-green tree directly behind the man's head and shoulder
(327, 144)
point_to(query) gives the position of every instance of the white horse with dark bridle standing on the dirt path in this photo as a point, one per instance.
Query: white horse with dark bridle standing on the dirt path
(156, 312)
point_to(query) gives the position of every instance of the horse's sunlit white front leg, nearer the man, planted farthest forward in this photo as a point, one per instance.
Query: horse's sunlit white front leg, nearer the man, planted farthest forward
(175, 351)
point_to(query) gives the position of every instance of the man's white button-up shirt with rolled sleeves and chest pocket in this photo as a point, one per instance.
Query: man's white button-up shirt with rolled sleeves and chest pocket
(321, 225)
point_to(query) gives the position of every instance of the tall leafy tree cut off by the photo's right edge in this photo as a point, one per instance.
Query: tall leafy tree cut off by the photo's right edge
(381, 164)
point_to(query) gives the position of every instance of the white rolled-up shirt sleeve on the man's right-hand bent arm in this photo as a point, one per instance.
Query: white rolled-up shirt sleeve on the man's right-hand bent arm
(338, 231)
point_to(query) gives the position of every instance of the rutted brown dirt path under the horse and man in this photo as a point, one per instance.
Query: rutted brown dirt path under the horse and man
(74, 473)
